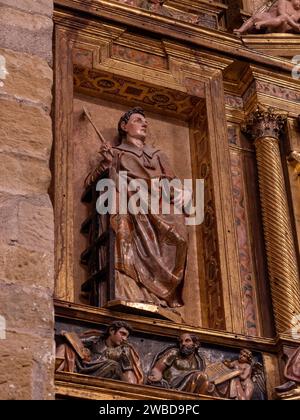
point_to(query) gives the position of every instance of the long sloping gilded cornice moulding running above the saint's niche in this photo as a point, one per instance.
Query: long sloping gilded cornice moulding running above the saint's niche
(220, 41)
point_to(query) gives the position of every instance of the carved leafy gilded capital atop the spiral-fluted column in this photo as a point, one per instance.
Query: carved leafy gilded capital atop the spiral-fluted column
(264, 122)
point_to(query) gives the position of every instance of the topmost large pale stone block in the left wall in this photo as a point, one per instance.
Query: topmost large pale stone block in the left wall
(25, 32)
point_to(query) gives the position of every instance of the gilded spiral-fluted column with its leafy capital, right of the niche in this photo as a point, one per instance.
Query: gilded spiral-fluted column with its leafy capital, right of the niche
(264, 127)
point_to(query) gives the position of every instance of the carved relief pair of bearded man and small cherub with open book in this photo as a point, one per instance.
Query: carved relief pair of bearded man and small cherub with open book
(184, 368)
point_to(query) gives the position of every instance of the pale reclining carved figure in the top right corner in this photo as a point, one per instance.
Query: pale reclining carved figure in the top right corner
(281, 16)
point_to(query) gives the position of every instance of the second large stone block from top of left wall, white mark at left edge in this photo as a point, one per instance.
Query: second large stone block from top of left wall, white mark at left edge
(27, 77)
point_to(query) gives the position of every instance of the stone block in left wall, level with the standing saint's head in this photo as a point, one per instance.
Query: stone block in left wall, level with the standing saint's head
(24, 129)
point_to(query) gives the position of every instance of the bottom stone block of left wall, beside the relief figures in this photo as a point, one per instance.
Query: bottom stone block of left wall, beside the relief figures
(26, 367)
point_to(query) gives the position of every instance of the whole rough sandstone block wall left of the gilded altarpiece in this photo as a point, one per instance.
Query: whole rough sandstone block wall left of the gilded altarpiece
(26, 215)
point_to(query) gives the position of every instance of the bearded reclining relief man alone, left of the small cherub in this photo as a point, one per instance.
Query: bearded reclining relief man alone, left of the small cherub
(181, 367)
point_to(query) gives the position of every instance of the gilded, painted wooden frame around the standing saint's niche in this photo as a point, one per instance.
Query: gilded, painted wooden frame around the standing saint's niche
(166, 80)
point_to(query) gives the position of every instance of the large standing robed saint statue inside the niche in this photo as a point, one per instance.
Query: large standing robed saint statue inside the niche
(151, 249)
